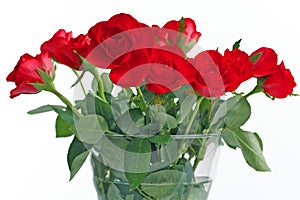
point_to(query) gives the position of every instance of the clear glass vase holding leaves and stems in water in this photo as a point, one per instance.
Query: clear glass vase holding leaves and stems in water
(179, 168)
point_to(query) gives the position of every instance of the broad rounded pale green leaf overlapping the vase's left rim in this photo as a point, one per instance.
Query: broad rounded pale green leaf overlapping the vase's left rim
(90, 128)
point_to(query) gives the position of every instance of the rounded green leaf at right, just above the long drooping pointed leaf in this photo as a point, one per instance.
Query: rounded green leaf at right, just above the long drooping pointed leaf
(238, 112)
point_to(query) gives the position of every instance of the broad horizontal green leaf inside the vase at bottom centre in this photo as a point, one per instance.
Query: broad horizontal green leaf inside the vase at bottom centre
(163, 183)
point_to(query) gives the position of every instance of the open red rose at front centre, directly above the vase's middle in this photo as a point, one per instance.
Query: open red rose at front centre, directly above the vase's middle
(168, 70)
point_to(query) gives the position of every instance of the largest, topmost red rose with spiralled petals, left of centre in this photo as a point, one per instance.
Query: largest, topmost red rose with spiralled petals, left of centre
(112, 38)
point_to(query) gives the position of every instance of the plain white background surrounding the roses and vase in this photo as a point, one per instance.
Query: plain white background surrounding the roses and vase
(33, 162)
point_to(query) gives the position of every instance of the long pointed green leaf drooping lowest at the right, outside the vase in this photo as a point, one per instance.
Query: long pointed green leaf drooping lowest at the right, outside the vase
(251, 147)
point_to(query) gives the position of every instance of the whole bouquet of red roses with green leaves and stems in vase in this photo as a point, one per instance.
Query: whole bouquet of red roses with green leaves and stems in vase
(149, 118)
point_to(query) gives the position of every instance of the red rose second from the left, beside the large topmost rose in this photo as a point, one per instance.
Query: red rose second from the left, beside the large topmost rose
(62, 46)
